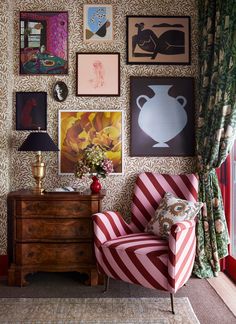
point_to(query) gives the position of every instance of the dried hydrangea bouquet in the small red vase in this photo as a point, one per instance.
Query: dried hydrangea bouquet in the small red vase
(94, 162)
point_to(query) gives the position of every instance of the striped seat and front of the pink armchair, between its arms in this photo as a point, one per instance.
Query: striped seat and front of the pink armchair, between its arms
(139, 258)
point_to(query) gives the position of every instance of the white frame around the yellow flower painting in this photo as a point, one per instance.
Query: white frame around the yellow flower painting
(95, 110)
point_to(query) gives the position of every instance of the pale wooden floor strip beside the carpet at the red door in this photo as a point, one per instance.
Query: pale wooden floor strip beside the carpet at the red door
(226, 289)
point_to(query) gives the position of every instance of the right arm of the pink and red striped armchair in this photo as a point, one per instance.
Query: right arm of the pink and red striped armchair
(182, 250)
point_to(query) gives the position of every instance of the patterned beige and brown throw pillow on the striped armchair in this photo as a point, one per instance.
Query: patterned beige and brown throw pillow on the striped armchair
(171, 210)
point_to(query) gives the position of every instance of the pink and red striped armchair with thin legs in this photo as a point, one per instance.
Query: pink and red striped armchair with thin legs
(125, 252)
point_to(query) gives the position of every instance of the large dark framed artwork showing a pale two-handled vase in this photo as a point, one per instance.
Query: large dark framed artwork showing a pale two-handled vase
(162, 116)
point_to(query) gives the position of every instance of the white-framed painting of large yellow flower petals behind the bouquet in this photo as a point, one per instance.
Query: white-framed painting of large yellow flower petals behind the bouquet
(78, 129)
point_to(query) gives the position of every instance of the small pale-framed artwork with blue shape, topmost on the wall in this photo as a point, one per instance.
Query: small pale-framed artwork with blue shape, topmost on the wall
(98, 23)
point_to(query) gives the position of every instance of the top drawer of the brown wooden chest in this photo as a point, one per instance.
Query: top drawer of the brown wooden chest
(51, 208)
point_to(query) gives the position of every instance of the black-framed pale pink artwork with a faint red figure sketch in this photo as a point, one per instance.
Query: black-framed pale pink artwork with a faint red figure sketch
(97, 74)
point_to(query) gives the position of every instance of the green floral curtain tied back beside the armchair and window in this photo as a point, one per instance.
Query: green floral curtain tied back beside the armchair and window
(216, 125)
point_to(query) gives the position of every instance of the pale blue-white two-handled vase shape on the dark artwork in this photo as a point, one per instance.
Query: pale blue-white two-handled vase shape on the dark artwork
(162, 117)
